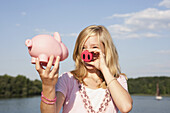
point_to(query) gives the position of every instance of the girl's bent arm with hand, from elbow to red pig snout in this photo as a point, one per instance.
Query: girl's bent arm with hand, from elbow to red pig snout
(121, 97)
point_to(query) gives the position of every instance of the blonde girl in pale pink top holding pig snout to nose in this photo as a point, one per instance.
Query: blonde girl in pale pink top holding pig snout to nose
(96, 86)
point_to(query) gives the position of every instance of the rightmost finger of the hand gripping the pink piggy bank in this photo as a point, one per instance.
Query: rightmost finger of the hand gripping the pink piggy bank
(56, 66)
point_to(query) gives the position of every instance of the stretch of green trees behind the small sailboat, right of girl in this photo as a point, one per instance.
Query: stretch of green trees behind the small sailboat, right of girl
(147, 85)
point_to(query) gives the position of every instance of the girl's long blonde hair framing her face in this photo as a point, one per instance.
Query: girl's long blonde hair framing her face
(111, 54)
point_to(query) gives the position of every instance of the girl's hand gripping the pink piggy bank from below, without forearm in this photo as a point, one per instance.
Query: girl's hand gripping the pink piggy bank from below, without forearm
(48, 76)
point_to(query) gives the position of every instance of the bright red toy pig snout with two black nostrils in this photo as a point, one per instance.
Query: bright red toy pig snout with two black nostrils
(87, 56)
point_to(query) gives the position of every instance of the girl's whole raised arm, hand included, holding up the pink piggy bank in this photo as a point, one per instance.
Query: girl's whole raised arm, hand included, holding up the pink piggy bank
(49, 79)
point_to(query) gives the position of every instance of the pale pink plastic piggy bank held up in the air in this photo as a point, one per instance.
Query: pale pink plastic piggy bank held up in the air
(43, 46)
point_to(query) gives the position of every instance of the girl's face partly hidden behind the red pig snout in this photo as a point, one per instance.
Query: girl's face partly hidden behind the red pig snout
(91, 44)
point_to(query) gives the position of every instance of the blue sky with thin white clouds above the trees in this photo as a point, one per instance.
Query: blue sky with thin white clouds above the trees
(140, 30)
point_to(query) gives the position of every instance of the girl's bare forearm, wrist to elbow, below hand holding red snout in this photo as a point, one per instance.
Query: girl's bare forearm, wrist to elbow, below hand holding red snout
(121, 97)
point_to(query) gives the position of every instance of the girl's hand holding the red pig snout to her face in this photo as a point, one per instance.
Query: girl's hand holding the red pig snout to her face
(99, 59)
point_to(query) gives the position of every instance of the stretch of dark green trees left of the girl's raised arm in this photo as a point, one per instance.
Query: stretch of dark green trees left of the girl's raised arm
(19, 86)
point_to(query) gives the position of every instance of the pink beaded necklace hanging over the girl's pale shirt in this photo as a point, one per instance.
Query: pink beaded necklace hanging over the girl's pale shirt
(87, 103)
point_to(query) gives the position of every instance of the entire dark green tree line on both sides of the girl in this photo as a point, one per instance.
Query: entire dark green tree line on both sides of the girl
(20, 86)
